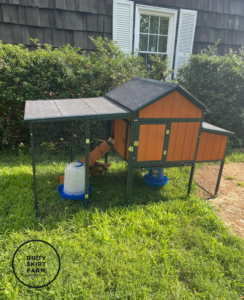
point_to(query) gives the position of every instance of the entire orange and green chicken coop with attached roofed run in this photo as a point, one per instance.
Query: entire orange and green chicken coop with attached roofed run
(149, 123)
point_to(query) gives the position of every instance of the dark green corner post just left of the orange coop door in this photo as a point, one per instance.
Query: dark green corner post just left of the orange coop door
(131, 160)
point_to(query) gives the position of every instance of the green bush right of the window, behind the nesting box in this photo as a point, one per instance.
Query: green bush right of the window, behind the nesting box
(218, 81)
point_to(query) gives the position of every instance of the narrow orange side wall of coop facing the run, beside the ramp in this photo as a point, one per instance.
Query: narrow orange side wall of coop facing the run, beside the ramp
(119, 137)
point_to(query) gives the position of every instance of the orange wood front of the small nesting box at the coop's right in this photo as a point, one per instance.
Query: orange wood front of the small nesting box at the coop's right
(211, 146)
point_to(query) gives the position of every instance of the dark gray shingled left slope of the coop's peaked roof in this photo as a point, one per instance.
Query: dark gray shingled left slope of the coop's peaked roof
(137, 92)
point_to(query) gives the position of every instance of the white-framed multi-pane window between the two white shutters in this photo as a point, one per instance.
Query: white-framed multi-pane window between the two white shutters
(155, 31)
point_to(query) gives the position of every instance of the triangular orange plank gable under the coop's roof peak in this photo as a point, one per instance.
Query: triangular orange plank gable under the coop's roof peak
(173, 105)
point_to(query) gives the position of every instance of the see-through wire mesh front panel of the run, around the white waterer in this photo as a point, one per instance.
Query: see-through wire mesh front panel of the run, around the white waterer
(55, 145)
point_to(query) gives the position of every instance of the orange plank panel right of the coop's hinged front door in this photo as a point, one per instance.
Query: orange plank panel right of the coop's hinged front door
(183, 141)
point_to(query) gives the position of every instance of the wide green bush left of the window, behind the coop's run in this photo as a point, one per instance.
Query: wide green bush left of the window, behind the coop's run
(56, 74)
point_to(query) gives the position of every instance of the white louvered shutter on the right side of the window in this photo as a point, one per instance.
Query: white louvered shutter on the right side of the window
(186, 32)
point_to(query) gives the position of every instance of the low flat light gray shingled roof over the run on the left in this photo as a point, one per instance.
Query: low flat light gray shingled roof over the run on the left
(52, 109)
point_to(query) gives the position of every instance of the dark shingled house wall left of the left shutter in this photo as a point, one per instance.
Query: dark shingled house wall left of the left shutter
(55, 22)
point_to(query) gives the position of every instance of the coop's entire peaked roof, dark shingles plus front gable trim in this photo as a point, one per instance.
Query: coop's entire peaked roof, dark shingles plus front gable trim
(141, 92)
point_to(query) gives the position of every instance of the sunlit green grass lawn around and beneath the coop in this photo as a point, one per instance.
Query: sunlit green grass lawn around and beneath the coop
(163, 246)
